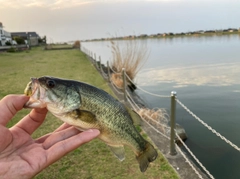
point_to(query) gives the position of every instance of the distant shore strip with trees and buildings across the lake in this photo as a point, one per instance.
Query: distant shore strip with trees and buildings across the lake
(228, 31)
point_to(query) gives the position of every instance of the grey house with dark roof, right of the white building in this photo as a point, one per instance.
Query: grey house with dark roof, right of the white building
(29, 37)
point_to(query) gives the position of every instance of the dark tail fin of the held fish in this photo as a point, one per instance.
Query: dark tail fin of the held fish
(147, 156)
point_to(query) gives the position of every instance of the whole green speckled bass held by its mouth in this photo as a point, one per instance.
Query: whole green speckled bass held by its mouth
(87, 107)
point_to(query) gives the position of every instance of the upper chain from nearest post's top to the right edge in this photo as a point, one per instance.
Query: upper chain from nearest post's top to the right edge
(208, 127)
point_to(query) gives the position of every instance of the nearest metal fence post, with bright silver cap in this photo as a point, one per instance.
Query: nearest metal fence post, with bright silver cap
(173, 116)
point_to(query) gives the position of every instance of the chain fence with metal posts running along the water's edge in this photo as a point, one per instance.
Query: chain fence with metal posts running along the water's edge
(161, 127)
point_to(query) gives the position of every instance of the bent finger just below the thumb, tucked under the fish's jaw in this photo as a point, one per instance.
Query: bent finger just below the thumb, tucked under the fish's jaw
(33, 120)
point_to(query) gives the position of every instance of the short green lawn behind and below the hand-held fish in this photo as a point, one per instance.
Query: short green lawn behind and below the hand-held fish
(94, 159)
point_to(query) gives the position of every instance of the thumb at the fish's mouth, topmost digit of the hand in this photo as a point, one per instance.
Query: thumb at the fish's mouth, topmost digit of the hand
(10, 105)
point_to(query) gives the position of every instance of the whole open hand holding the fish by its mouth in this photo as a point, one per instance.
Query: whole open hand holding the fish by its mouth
(24, 157)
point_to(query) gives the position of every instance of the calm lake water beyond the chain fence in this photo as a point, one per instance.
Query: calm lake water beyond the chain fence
(205, 73)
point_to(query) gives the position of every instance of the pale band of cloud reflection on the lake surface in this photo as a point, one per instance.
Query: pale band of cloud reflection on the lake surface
(223, 74)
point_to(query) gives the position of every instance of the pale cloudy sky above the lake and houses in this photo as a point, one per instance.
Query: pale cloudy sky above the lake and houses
(67, 20)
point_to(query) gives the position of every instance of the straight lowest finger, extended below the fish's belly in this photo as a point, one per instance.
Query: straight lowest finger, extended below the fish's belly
(63, 147)
